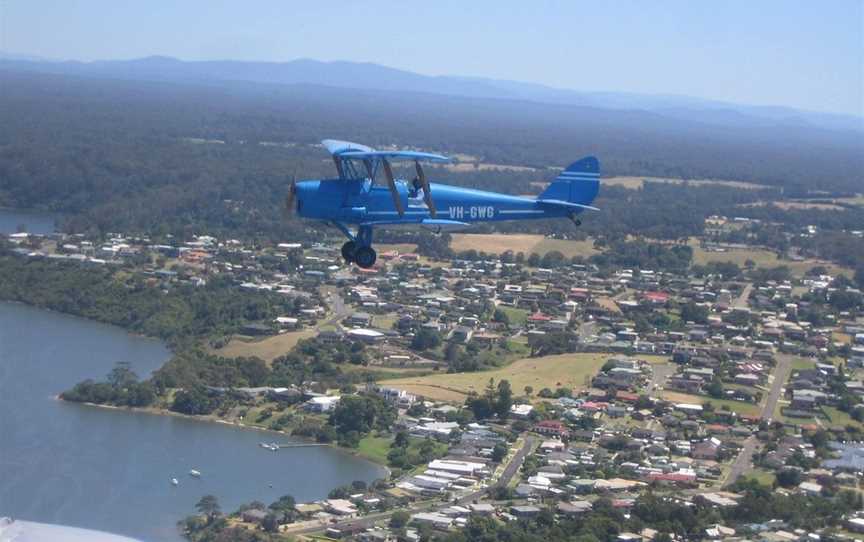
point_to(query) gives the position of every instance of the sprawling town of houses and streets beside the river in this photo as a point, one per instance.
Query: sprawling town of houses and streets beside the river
(622, 381)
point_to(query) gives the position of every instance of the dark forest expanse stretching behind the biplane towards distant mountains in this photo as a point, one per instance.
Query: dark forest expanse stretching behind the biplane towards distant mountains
(169, 157)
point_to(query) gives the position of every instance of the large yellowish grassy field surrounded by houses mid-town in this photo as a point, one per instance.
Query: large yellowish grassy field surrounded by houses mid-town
(565, 370)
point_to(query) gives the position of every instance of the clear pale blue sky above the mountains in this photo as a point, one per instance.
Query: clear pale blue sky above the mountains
(798, 53)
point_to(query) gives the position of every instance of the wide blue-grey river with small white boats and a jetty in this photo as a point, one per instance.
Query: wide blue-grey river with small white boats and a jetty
(110, 470)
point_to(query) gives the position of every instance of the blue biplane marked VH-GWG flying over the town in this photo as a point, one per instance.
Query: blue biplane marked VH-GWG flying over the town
(354, 198)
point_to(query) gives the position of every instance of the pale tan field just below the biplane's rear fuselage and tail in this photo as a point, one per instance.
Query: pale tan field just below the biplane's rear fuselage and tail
(497, 243)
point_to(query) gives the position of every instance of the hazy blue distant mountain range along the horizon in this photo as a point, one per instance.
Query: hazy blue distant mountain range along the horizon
(370, 76)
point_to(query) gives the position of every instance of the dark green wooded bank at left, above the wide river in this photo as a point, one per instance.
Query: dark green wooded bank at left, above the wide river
(180, 315)
